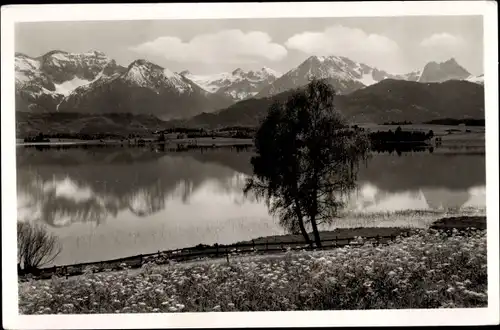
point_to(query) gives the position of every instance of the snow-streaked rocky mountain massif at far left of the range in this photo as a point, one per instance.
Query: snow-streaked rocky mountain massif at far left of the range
(93, 83)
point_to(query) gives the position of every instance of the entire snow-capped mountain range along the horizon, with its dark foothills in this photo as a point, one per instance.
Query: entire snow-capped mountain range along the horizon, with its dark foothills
(93, 83)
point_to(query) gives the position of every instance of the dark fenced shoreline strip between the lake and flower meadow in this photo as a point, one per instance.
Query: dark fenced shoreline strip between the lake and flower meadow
(267, 245)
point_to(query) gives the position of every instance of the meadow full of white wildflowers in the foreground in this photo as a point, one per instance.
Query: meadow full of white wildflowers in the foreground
(430, 269)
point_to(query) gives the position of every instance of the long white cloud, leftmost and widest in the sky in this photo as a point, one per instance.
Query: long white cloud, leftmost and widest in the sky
(227, 46)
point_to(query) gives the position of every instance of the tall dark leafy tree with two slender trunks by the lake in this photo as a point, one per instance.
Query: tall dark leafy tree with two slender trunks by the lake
(307, 159)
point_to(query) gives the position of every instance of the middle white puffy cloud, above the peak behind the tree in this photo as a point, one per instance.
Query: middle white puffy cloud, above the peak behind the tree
(372, 49)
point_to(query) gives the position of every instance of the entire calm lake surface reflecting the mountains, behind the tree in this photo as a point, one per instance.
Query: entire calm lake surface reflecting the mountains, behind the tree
(111, 202)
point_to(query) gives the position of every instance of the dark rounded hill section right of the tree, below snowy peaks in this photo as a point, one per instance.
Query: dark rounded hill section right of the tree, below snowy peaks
(398, 100)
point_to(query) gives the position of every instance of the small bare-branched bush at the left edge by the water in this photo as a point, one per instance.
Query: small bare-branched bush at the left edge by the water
(35, 246)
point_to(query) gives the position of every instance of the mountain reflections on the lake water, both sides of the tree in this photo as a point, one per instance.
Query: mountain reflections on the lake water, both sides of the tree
(94, 183)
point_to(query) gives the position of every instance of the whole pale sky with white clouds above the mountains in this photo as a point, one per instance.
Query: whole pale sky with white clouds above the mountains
(394, 44)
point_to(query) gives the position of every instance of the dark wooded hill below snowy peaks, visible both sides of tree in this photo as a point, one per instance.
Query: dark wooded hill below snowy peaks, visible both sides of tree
(388, 100)
